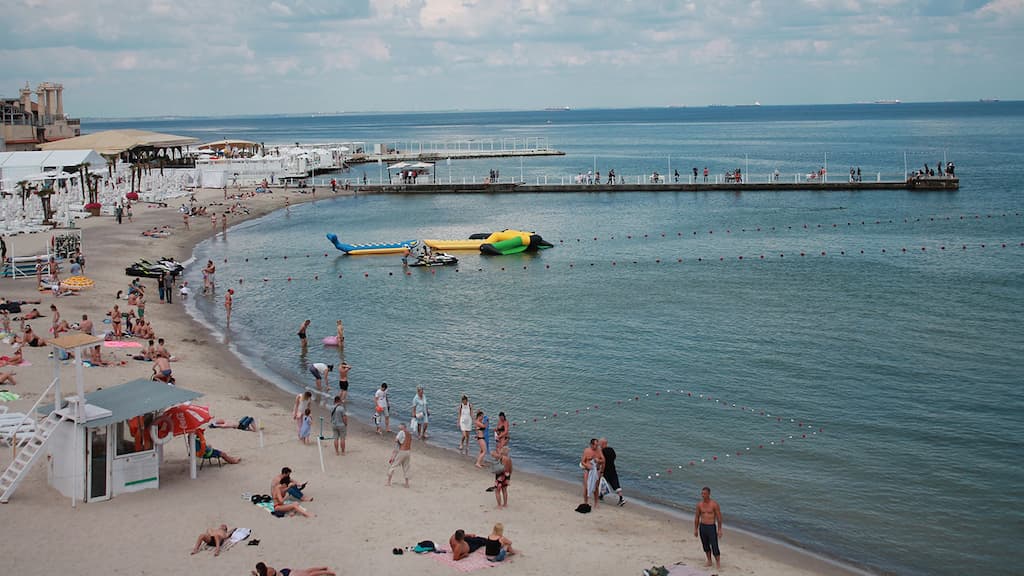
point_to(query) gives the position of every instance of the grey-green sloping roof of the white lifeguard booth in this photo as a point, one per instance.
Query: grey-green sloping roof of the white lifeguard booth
(133, 399)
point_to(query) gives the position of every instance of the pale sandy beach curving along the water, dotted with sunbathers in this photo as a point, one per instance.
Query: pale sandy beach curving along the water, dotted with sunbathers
(359, 520)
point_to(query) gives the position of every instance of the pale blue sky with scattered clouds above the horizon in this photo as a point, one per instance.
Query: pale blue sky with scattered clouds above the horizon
(163, 58)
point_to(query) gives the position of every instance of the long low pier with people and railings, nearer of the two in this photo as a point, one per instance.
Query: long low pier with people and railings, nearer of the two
(922, 185)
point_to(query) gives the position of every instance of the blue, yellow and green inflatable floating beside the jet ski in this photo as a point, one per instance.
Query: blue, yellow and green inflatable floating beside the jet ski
(497, 243)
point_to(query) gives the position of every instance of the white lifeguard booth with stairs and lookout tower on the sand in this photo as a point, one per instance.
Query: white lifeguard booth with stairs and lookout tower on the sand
(105, 443)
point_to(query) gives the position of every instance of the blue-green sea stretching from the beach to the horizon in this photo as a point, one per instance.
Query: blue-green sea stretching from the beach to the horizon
(844, 369)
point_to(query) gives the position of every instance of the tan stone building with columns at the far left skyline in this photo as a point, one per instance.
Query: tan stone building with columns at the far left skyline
(25, 125)
